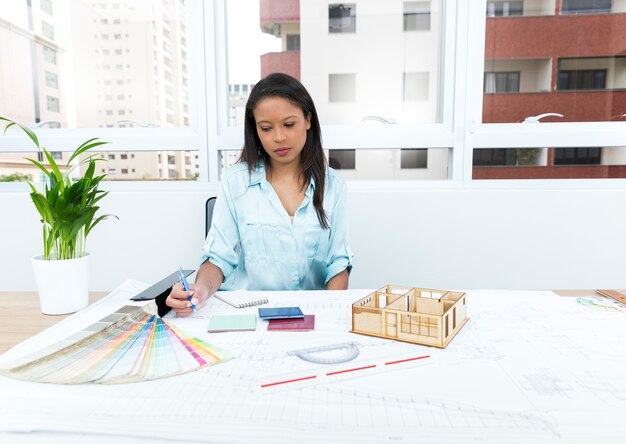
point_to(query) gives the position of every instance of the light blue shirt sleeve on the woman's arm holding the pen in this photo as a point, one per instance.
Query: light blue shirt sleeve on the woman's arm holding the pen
(222, 241)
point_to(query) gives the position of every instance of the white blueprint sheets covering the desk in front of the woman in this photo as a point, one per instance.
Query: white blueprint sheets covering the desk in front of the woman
(529, 366)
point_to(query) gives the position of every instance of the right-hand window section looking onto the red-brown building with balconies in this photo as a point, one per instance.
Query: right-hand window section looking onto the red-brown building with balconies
(569, 93)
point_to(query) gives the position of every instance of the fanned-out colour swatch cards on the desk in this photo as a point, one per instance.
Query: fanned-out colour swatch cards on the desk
(133, 344)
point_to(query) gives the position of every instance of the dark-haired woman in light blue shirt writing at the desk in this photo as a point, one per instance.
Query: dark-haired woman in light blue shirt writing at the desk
(279, 221)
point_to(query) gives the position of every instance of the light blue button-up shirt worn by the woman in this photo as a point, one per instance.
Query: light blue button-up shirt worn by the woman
(258, 247)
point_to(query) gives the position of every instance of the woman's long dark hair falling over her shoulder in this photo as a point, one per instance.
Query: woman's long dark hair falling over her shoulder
(312, 159)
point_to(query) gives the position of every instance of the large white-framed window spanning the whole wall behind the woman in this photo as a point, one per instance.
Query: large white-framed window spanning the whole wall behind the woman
(405, 95)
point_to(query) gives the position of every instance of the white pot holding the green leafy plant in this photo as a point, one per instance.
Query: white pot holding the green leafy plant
(63, 284)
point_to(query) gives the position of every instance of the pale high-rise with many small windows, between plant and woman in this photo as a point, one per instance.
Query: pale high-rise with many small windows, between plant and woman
(131, 70)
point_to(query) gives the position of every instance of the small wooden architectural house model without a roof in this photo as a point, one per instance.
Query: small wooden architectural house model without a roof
(418, 315)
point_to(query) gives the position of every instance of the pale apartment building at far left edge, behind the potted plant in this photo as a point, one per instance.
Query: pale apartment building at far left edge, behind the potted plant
(31, 83)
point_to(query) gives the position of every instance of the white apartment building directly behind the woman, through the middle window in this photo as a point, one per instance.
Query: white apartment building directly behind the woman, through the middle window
(369, 62)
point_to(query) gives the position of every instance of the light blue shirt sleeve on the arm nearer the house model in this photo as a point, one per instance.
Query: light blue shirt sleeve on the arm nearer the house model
(339, 252)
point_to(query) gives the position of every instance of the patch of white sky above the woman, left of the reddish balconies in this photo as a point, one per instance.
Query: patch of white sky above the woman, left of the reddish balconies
(246, 42)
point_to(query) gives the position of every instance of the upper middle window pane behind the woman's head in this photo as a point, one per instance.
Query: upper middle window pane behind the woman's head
(347, 67)
